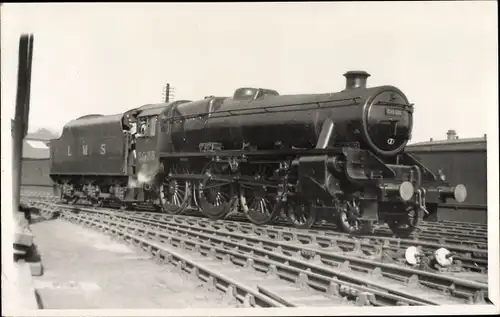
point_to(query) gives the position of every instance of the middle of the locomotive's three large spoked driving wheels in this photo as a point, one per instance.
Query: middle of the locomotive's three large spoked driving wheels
(215, 198)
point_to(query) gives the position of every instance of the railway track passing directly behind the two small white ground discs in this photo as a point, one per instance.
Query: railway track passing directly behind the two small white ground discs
(387, 250)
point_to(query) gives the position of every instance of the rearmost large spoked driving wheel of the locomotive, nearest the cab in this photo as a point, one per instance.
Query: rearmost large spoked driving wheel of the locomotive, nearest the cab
(175, 194)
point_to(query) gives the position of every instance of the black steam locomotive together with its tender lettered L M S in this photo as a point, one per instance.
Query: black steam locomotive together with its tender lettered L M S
(338, 157)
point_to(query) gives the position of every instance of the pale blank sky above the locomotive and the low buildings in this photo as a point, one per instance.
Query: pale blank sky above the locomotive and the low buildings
(107, 58)
